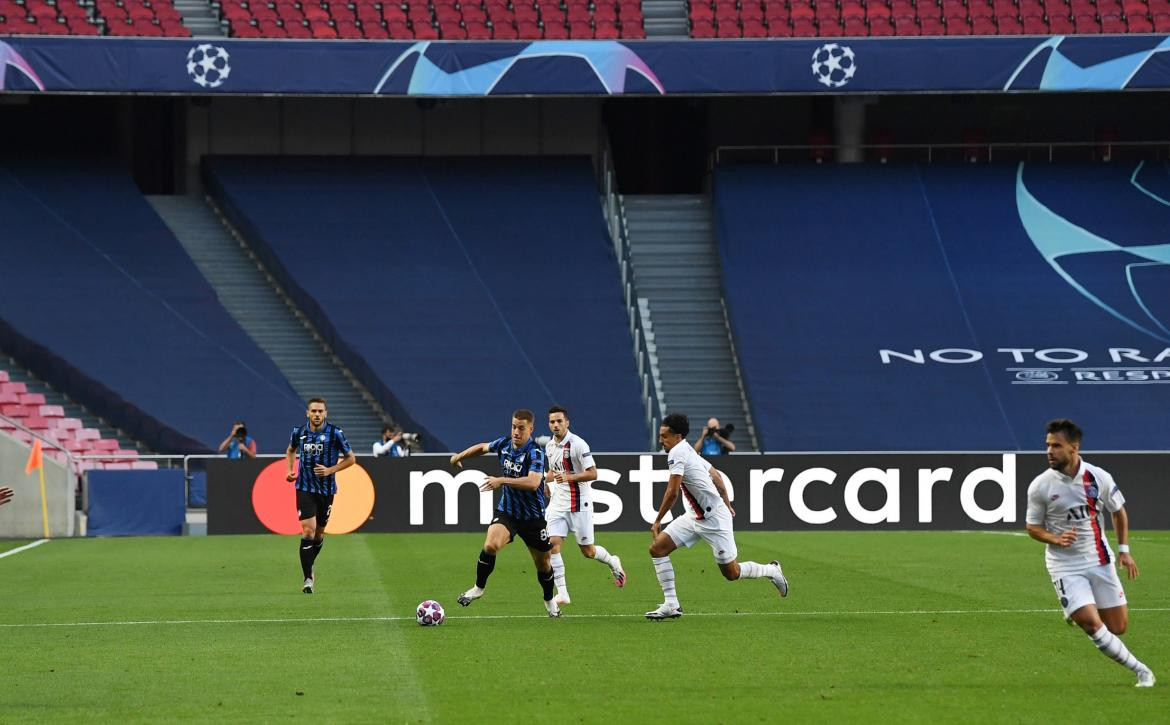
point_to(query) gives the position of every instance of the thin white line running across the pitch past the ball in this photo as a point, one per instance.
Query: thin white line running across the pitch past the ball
(541, 617)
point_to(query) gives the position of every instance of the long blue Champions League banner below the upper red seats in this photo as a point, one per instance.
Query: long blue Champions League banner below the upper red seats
(373, 68)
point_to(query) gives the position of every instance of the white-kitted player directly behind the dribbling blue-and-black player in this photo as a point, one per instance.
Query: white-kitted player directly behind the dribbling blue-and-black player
(569, 473)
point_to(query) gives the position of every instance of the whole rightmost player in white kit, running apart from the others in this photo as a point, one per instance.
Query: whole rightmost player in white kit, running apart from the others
(1066, 509)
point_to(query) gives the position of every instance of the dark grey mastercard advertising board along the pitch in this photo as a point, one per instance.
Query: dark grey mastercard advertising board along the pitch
(772, 492)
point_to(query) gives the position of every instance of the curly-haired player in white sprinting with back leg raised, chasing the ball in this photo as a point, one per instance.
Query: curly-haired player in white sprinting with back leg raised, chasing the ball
(708, 517)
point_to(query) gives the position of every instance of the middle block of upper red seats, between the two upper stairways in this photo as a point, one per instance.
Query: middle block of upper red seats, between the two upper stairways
(435, 20)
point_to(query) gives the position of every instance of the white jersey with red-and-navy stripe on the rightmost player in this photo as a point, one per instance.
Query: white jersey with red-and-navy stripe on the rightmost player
(1062, 503)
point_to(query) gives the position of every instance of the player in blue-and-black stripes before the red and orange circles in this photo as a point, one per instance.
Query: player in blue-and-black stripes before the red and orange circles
(324, 451)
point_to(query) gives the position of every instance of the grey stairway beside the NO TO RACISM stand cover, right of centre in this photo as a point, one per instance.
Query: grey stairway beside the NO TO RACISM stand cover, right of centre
(677, 271)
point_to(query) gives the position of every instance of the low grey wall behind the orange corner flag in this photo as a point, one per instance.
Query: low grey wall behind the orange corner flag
(22, 517)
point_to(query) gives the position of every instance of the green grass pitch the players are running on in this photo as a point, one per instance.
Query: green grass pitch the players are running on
(880, 627)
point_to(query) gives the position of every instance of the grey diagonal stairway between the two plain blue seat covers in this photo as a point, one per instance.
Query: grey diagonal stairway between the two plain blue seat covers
(256, 302)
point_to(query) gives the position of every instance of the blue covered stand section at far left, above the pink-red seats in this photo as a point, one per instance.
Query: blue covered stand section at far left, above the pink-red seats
(148, 344)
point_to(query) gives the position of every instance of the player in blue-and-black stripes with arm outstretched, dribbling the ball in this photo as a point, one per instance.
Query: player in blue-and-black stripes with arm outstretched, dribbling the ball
(521, 507)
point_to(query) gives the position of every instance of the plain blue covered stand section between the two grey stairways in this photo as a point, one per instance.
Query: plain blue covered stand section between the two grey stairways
(456, 291)
